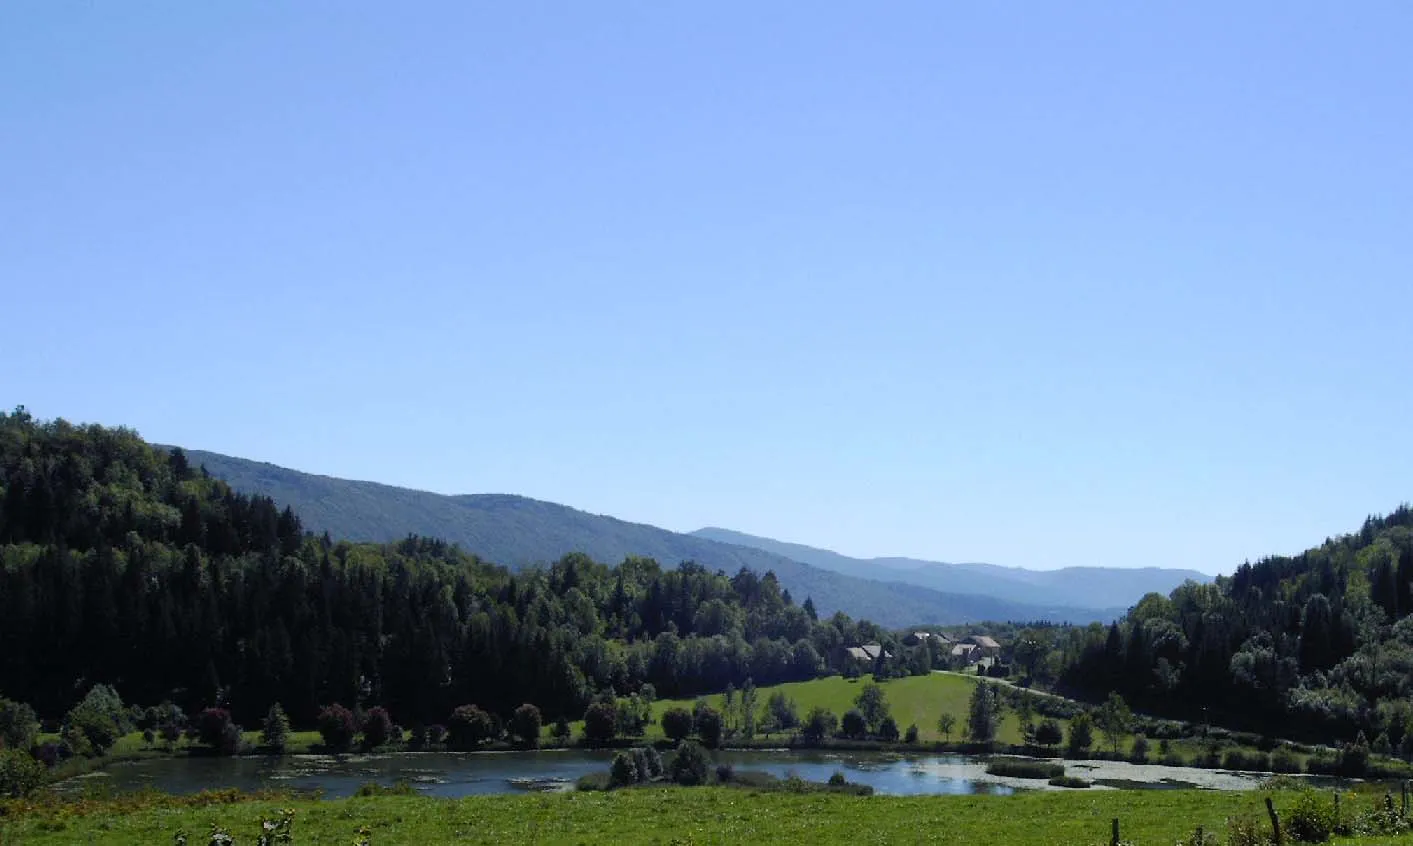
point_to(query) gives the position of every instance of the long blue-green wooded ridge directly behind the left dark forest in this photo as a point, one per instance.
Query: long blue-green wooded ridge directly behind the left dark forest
(519, 532)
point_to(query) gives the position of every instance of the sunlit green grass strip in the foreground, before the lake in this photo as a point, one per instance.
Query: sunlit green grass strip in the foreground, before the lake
(663, 816)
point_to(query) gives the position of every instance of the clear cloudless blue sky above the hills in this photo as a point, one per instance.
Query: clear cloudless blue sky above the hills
(1034, 285)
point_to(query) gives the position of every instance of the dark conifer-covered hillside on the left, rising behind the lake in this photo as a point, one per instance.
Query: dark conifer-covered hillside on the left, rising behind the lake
(128, 566)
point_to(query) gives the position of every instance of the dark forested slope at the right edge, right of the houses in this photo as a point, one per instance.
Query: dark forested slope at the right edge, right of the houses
(1318, 645)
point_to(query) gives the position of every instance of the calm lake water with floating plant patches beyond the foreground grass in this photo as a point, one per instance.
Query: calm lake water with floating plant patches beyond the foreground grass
(464, 775)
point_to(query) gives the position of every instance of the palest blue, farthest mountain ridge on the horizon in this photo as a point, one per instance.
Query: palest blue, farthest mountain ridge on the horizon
(1068, 587)
